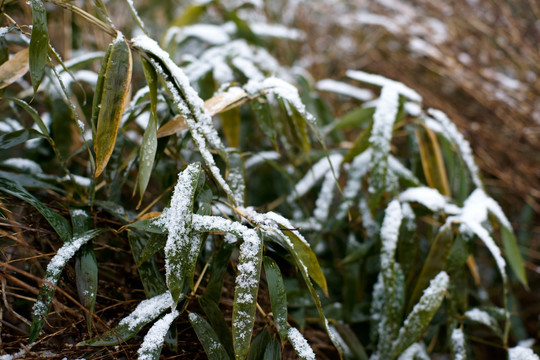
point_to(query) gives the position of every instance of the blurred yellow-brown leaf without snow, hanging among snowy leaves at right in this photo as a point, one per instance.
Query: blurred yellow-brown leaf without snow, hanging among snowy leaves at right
(432, 160)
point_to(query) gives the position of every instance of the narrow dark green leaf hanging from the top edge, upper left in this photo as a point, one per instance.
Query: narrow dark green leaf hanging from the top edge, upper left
(39, 43)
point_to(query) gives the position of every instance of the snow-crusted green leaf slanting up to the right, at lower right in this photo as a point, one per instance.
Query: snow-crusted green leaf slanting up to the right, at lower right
(421, 315)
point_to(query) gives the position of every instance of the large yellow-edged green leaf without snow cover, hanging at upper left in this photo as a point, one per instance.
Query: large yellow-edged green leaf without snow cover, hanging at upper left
(116, 78)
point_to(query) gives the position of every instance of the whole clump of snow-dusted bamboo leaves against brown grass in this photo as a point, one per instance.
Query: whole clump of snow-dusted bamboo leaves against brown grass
(391, 216)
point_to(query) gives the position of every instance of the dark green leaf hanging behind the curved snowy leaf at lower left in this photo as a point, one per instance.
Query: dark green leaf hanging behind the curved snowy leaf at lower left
(86, 268)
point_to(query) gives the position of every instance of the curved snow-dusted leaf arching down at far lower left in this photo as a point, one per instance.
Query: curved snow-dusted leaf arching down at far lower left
(54, 270)
